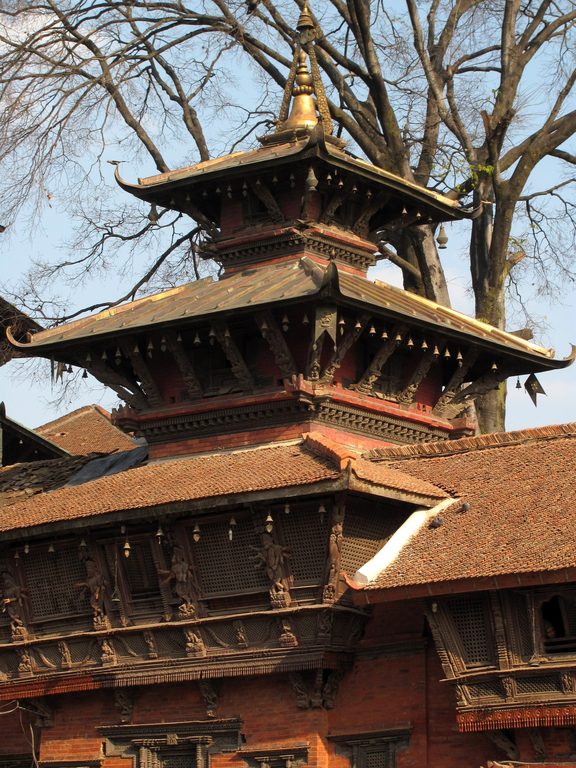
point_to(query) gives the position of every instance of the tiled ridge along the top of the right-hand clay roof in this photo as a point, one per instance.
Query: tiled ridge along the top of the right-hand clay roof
(475, 443)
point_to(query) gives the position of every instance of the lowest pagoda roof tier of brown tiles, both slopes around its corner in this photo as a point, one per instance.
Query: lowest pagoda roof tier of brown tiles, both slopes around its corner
(313, 465)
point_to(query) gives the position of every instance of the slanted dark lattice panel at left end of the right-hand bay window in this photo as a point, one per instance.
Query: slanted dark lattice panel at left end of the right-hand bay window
(472, 622)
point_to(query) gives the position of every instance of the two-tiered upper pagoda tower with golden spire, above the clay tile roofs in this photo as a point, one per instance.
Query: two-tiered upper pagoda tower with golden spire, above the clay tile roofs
(293, 336)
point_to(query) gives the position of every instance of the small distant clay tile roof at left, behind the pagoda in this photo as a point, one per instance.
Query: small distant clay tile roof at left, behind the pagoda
(86, 430)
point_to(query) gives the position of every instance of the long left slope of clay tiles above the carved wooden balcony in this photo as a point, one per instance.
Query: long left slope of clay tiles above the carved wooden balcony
(181, 480)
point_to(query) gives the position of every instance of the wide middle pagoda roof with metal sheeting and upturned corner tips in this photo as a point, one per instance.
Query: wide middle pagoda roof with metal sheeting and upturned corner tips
(282, 283)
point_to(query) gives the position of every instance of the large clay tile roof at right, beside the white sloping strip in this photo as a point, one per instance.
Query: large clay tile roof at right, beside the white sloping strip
(522, 514)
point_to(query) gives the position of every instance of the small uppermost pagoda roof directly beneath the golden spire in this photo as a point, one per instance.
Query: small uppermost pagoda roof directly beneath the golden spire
(308, 145)
